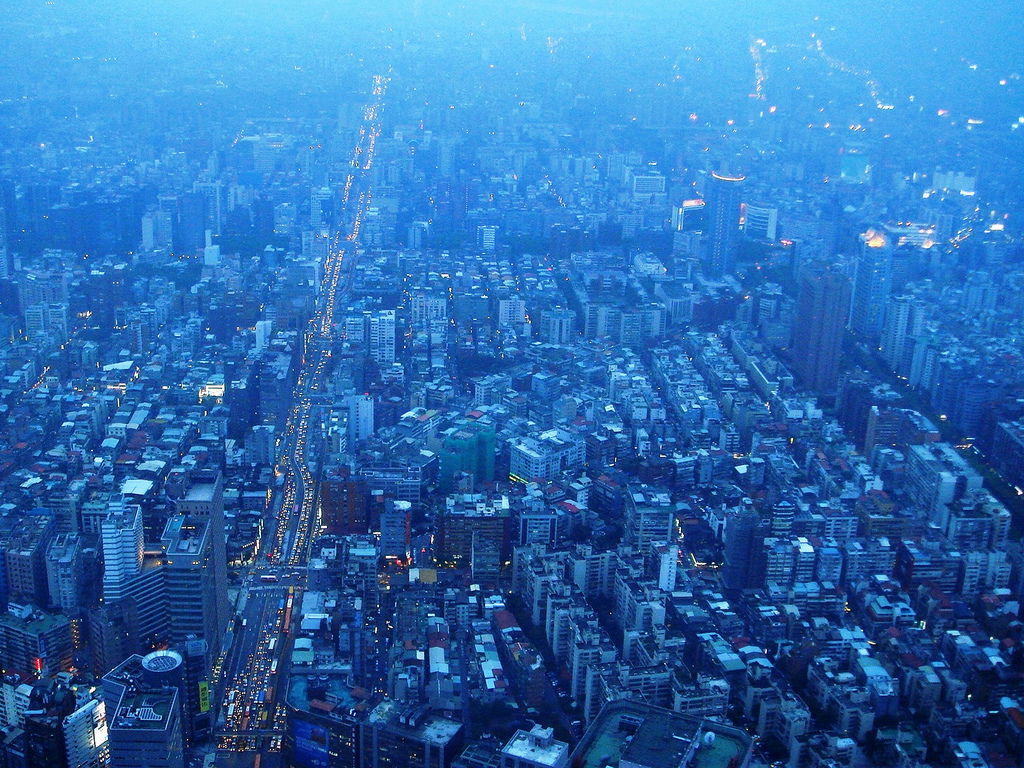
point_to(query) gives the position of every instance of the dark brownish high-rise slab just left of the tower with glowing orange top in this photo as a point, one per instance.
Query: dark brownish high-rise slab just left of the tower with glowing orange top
(822, 311)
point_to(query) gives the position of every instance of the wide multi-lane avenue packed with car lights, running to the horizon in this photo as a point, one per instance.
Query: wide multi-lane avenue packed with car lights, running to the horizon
(254, 666)
